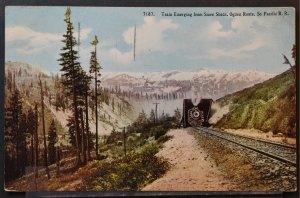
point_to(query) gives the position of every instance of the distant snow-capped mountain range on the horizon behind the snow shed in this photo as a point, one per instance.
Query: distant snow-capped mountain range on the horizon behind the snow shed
(201, 83)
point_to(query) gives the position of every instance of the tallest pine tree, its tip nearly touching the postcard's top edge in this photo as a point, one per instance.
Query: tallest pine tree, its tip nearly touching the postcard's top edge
(71, 72)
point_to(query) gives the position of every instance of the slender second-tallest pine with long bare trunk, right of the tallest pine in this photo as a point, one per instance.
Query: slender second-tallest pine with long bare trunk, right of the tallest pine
(95, 69)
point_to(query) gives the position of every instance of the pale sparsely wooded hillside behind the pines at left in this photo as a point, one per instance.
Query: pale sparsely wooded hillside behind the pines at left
(26, 78)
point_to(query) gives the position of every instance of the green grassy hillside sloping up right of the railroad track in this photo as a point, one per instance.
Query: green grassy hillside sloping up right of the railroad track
(268, 106)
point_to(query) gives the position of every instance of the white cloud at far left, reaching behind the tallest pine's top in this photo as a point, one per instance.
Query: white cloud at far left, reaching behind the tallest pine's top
(35, 41)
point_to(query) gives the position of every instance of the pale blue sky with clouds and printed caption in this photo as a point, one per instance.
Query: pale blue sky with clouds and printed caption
(33, 35)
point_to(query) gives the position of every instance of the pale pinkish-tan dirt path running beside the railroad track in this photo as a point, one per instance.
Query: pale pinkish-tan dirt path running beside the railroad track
(191, 170)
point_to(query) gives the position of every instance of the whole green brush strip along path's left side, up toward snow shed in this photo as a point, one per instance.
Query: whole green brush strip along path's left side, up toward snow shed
(140, 166)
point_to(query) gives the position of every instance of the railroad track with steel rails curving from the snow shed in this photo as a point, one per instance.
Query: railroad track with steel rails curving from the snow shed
(279, 152)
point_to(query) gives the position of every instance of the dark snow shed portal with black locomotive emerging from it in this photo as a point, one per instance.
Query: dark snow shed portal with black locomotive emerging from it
(196, 115)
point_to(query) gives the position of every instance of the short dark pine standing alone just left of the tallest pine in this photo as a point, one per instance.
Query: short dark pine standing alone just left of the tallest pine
(52, 140)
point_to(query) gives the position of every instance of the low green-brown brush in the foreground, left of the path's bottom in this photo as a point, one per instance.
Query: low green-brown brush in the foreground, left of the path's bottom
(132, 172)
